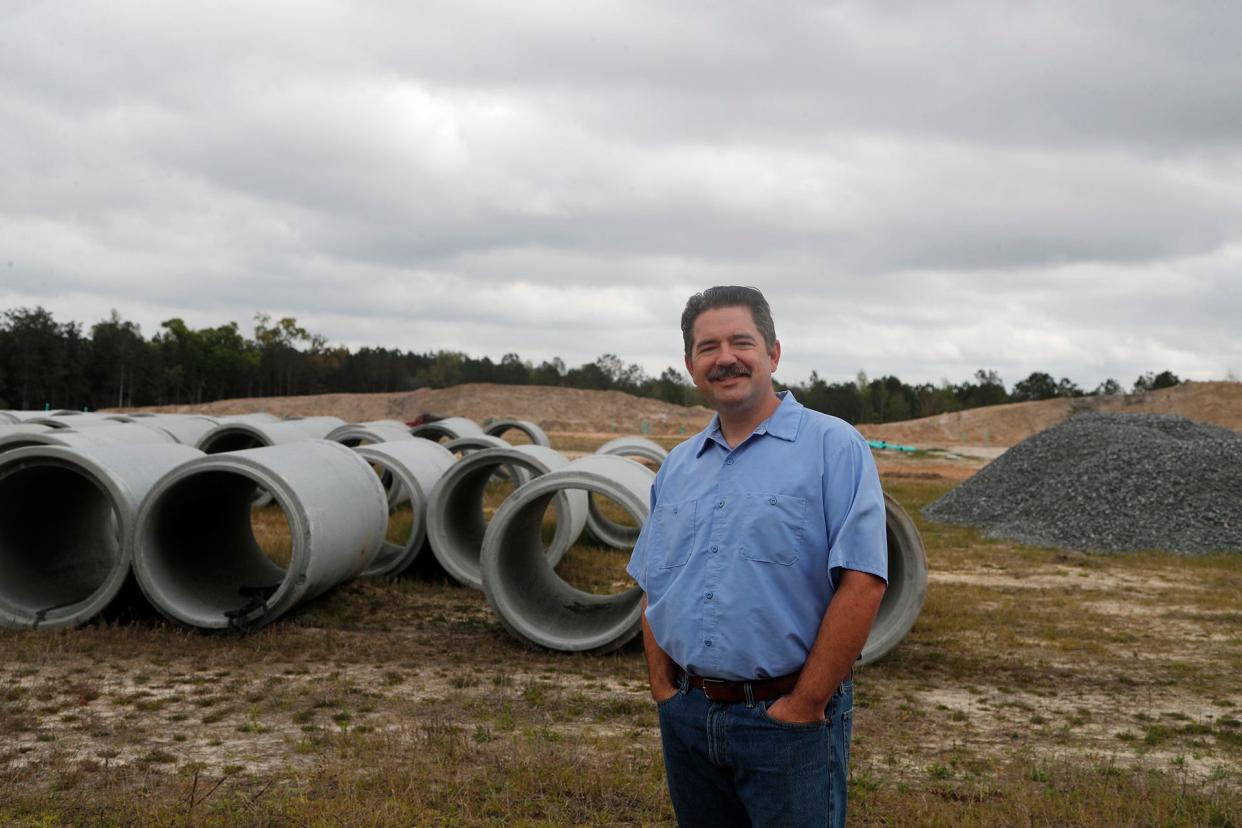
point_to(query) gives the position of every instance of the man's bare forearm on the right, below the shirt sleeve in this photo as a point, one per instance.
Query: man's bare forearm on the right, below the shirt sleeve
(838, 645)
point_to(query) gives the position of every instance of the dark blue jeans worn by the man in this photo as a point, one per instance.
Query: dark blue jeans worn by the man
(733, 765)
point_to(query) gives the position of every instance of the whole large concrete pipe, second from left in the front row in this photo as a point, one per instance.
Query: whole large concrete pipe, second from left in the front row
(196, 554)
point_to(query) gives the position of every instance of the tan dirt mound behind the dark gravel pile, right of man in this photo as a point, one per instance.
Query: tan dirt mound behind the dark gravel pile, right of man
(1219, 404)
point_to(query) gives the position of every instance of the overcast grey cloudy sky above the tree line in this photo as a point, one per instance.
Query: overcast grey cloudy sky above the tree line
(920, 189)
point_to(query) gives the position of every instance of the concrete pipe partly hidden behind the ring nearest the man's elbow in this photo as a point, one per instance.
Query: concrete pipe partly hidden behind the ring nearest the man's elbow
(456, 523)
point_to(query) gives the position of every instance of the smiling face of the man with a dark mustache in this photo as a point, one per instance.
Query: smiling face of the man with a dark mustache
(730, 362)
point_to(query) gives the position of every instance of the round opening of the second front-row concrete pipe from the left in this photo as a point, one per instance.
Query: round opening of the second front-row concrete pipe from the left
(204, 551)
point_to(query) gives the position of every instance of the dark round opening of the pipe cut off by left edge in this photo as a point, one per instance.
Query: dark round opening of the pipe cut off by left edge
(59, 539)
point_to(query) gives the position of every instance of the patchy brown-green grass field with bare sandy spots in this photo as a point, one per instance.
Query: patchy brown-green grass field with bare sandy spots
(1040, 687)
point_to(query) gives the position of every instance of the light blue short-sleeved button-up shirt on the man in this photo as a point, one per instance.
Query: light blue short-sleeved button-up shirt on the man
(743, 548)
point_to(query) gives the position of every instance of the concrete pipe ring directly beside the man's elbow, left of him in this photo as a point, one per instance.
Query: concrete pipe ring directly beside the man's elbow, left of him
(530, 599)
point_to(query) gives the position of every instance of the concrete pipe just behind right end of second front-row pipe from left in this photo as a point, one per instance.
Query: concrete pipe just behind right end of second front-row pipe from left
(415, 466)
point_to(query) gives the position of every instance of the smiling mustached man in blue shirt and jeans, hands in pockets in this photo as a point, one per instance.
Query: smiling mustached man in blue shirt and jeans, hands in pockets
(763, 563)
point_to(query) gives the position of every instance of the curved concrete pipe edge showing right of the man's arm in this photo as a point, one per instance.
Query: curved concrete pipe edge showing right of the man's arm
(907, 584)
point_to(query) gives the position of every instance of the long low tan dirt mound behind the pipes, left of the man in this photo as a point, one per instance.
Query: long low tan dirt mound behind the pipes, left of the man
(553, 409)
